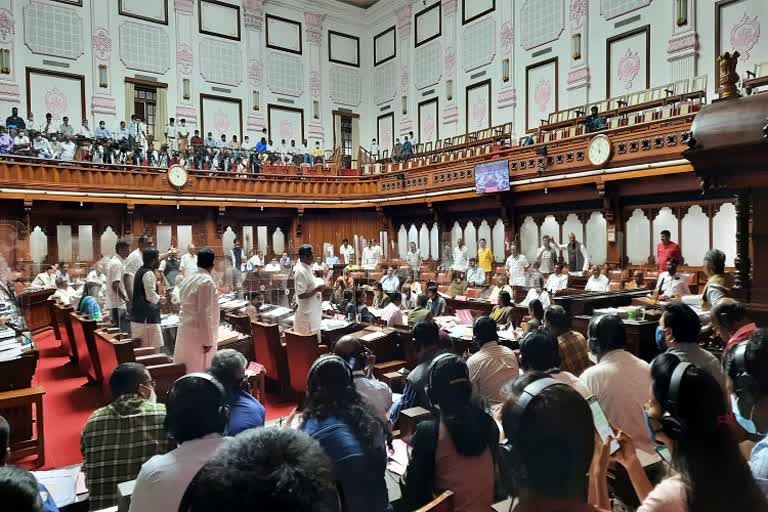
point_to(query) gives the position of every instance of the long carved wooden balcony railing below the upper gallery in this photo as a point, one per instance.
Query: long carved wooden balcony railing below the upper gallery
(564, 161)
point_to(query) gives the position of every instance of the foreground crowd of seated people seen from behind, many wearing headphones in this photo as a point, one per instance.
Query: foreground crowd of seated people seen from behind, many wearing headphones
(687, 429)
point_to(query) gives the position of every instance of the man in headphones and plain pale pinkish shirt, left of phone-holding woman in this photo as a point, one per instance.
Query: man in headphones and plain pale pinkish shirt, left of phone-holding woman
(619, 380)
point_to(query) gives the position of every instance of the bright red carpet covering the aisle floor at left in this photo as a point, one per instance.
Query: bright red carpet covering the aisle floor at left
(67, 404)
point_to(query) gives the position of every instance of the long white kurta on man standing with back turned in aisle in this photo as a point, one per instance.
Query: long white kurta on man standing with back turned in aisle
(198, 322)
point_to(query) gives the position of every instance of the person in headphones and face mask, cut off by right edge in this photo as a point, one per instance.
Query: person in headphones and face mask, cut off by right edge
(746, 366)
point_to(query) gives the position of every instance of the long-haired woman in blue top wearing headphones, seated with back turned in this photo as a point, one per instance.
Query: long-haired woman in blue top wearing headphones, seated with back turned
(356, 441)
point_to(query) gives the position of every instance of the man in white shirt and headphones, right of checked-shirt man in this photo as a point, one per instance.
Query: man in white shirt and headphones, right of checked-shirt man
(196, 419)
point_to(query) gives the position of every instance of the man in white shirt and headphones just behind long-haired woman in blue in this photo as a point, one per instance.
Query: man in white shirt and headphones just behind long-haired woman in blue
(376, 394)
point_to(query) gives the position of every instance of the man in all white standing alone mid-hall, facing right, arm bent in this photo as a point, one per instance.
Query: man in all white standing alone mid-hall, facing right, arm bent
(309, 297)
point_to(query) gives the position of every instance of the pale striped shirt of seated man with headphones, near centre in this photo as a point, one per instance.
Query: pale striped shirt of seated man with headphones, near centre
(490, 368)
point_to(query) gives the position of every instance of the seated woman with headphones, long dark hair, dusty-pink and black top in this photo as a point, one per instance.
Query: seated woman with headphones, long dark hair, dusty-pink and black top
(457, 450)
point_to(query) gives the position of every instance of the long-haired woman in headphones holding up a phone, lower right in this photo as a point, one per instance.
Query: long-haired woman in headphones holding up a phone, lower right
(687, 414)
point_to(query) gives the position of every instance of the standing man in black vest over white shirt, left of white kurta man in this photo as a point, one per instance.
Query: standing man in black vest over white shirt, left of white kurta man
(145, 302)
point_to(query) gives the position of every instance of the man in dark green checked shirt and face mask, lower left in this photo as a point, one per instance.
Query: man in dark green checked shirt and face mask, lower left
(118, 438)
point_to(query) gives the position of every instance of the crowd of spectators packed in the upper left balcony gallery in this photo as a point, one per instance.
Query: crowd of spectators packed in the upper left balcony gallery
(129, 144)
